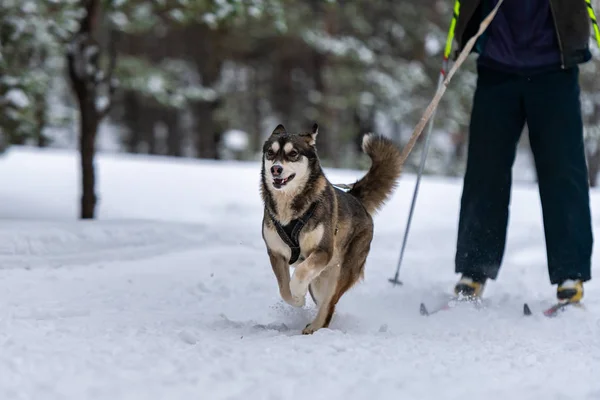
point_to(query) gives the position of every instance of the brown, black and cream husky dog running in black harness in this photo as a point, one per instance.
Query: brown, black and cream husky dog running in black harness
(322, 231)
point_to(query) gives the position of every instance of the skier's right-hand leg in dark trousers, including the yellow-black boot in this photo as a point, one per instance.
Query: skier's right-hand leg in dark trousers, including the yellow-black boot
(556, 134)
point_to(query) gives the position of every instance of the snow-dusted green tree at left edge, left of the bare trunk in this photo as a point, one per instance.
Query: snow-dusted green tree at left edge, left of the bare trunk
(32, 33)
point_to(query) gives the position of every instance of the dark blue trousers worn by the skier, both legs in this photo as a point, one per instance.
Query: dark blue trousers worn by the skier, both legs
(549, 103)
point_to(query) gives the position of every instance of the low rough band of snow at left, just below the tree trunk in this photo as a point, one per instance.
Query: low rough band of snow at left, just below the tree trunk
(49, 244)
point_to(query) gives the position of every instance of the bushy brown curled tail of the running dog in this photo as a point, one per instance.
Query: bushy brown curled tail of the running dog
(373, 189)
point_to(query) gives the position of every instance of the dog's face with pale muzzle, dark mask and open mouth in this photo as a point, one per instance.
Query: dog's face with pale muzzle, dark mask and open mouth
(287, 158)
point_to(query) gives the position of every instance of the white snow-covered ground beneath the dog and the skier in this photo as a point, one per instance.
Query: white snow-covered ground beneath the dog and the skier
(169, 295)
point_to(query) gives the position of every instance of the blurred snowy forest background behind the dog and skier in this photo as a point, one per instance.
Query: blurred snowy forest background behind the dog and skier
(210, 79)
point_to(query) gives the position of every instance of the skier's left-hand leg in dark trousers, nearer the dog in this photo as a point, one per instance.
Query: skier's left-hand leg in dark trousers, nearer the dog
(497, 120)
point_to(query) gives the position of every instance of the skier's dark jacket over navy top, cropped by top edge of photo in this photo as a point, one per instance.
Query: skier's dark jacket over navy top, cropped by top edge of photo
(527, 34)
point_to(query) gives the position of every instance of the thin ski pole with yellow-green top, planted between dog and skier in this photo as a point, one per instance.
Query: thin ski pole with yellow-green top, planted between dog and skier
(447, 51)
